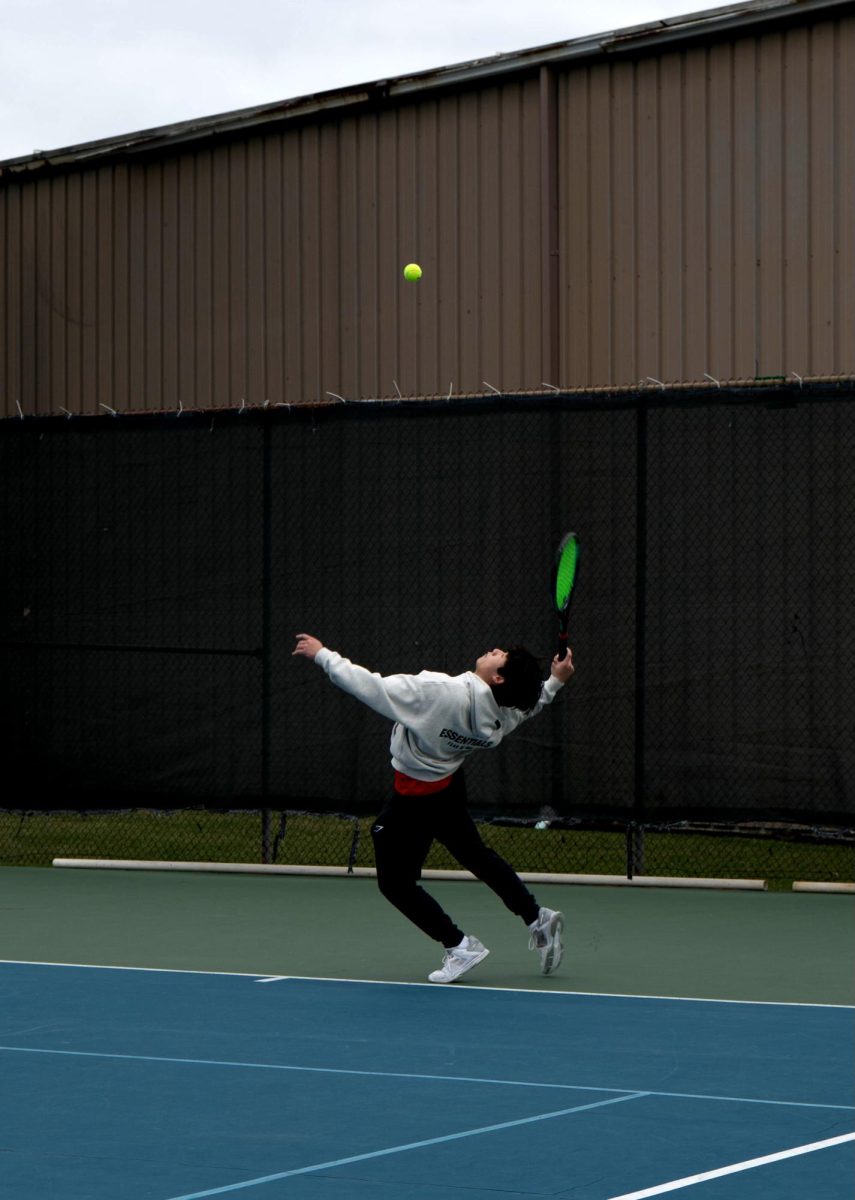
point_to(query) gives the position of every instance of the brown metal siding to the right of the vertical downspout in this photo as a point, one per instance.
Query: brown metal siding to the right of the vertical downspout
(709, 212)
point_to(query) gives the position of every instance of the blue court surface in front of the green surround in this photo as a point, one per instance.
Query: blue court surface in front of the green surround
(163, 1085)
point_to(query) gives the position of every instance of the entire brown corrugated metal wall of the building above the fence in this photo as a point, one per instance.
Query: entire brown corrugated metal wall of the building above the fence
(687, 213)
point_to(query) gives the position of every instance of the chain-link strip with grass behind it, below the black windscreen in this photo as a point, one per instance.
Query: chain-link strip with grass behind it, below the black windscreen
(778, 856)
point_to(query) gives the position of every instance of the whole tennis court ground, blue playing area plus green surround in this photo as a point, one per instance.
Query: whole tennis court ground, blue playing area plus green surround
(162, 1084)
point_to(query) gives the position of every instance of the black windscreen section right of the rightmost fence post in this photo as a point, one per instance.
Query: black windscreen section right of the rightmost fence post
(750, 626)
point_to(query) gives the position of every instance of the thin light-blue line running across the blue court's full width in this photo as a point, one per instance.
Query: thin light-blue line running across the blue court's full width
(400, 1075)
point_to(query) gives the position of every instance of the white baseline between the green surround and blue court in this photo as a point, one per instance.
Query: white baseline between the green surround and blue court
(406, 983)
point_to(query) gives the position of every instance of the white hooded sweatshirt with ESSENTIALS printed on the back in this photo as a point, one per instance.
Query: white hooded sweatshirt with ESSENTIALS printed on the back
(439, 719)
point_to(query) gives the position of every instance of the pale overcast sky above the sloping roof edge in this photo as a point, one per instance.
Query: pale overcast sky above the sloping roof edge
(73, 71)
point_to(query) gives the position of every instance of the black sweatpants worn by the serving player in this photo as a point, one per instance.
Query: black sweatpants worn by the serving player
(403, 836)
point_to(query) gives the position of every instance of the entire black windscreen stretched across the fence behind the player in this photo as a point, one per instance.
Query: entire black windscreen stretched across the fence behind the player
(156, 572)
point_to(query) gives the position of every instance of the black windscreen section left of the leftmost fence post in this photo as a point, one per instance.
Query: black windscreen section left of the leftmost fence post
(133, 569)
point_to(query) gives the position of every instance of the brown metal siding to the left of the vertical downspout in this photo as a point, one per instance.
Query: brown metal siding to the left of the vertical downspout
(271, 268)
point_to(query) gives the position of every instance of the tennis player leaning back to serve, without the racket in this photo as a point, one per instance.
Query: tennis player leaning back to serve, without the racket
(440, 721)
